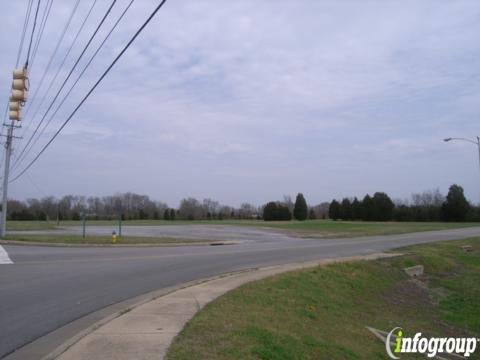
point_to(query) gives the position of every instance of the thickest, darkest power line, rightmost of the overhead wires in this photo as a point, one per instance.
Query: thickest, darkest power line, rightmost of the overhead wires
(159, 6)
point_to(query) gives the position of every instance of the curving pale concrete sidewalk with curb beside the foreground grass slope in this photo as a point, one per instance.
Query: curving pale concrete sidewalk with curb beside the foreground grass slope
(146, 329)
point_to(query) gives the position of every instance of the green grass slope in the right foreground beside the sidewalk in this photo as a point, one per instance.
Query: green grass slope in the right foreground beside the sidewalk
(321, 313)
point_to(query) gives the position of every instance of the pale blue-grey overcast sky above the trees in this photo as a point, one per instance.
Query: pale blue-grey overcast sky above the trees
(250, 100)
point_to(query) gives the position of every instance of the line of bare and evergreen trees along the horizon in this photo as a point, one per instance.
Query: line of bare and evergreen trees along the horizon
(426, 206)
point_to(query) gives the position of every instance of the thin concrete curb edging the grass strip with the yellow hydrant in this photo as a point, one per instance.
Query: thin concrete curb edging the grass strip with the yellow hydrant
(33, 243)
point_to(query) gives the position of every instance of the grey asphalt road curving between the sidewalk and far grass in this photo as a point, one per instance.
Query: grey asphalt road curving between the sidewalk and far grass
(48, 287)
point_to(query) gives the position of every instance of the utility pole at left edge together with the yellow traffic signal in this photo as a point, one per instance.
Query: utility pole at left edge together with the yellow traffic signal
(17, 101)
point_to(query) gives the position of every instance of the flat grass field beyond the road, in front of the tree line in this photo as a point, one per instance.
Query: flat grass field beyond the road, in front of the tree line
(309, 228)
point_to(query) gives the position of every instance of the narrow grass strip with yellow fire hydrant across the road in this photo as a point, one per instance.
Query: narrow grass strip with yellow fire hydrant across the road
(99, 240)
